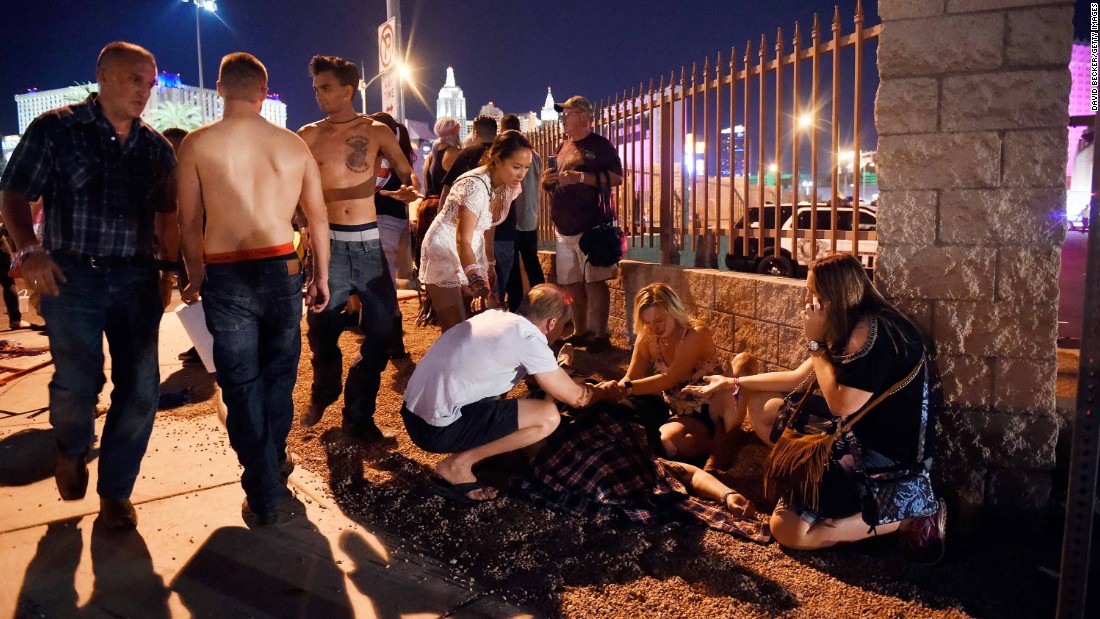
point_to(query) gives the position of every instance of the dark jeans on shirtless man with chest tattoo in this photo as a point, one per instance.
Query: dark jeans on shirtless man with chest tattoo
(359, 268)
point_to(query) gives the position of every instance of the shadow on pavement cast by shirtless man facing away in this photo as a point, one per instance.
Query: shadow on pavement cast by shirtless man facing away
(282, 571)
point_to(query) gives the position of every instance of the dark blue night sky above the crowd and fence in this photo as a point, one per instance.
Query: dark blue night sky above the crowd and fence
(508, 52)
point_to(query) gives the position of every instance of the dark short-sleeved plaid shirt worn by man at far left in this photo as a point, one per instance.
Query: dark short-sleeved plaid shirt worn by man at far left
(100, 200)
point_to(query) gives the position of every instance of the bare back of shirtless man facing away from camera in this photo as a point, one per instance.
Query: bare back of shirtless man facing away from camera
(252, 176)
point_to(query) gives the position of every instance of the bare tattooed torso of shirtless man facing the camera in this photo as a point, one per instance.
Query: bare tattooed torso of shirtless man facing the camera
(347, 154)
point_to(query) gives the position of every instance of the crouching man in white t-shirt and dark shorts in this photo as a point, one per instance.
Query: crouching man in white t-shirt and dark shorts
(453, 402)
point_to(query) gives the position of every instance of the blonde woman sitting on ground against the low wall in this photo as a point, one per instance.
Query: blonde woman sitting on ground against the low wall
(674, 351)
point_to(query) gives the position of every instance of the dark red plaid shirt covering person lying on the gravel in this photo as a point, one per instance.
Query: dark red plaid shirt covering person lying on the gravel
(602, 468)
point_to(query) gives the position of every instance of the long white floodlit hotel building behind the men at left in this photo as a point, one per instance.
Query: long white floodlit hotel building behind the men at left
(171, 98)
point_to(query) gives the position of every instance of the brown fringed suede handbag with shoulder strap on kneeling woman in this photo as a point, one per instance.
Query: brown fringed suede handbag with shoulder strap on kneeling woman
(800, 458)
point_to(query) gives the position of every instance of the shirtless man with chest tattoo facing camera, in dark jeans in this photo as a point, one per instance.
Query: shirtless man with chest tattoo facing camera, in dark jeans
(347, 148)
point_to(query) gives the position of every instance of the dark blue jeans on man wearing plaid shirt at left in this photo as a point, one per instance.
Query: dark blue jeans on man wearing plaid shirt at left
(124, 304)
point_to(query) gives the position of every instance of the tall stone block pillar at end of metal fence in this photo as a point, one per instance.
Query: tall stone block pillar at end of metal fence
(972, 114)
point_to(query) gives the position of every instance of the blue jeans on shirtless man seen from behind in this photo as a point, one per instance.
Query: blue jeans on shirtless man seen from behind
(254, 311)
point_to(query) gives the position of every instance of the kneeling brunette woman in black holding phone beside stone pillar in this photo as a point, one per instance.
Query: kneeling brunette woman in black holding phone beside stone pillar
(865, 357)
